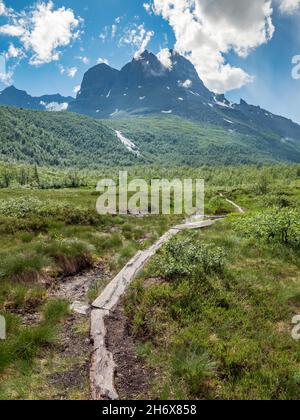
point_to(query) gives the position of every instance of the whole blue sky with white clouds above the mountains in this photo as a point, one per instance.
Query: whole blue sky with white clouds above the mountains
(247, 55)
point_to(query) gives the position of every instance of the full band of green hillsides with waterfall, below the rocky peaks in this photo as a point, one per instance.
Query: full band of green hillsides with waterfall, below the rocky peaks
(71, 140)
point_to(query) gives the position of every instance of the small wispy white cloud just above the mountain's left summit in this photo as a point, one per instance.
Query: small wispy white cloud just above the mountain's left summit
(138, 37)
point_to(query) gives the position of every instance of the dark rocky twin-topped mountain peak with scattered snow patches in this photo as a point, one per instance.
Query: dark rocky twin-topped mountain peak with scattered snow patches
(146, 87)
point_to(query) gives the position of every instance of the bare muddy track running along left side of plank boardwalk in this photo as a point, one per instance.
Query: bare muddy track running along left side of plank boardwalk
(70, 376)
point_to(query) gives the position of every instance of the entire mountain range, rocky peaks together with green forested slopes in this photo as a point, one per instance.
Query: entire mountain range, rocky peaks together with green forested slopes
(145, 113)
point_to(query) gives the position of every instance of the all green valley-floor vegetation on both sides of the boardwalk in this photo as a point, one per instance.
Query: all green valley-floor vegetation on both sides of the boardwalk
(216, 316)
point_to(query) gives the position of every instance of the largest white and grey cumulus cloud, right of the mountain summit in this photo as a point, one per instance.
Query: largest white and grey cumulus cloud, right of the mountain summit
(206, 30)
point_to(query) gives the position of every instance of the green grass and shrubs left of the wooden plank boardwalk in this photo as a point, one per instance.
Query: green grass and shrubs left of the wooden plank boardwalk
(47, 235)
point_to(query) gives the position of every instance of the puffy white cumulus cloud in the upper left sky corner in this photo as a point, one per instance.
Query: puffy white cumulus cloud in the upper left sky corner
(43, 31)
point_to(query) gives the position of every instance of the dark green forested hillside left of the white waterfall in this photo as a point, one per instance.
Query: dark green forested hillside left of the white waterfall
(59, 139)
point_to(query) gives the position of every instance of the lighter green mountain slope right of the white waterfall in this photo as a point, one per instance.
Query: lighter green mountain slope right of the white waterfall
(170, 141)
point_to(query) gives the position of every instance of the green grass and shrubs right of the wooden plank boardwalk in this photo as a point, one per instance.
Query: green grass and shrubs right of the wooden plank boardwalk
(211, 314)
